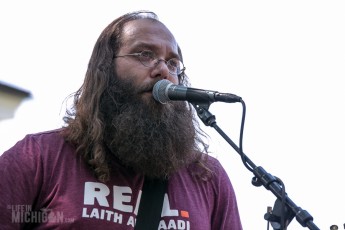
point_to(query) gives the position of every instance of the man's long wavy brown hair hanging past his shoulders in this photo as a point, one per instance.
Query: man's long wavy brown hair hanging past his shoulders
(84, 121)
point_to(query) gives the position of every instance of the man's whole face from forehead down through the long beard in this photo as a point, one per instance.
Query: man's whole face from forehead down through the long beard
(151, 138)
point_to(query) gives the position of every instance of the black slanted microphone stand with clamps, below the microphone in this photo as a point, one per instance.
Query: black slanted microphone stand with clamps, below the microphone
(284, 208)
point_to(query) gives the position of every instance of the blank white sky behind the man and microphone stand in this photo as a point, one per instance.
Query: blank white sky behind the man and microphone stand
(284, 58)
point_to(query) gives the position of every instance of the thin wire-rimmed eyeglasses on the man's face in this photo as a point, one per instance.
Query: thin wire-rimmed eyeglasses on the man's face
(149, 59)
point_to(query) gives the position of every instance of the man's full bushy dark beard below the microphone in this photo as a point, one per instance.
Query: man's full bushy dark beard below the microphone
(146, 136)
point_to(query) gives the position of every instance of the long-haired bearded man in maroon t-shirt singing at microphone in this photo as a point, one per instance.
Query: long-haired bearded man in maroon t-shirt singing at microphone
(90, 174)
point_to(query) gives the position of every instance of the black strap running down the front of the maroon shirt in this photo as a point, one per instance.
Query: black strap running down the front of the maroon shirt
(151, 203)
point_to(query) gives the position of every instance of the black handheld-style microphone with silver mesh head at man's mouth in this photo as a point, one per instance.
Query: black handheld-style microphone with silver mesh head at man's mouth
(165, 91)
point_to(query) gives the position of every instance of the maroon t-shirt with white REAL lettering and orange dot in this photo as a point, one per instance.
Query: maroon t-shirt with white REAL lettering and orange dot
(44, 184)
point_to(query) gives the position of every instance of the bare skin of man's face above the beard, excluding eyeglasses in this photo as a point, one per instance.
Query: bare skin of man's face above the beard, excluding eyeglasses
(146, 35)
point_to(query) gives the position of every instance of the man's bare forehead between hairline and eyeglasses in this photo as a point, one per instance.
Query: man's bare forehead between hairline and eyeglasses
(150, 32)
